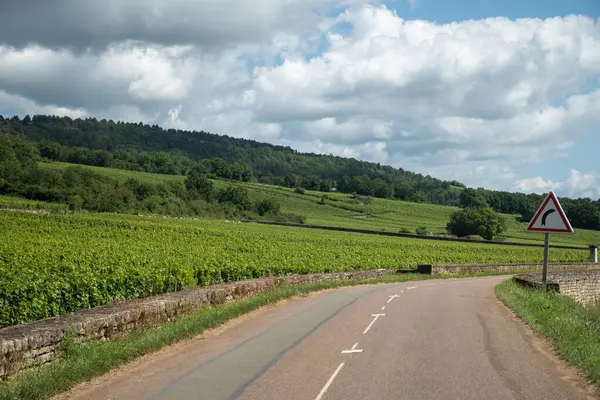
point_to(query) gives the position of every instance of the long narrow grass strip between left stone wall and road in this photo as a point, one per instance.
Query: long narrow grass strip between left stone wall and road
(81, 362)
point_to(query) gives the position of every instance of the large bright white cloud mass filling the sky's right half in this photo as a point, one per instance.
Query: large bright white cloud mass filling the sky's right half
(482, 89)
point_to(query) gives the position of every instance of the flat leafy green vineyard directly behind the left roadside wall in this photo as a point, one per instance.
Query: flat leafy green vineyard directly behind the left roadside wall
(53, 264)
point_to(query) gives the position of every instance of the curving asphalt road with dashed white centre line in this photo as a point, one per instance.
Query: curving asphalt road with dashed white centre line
(446, 339)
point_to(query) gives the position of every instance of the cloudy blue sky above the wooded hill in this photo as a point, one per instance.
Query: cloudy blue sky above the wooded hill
(497, 94)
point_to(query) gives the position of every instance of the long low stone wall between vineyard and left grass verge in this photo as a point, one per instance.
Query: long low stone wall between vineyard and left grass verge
(32, 344)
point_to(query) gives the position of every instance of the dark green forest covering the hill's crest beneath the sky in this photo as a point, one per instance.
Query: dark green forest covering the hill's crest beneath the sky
(141, 147)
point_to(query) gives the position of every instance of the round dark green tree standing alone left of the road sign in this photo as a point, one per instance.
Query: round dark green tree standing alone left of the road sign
(469, 221)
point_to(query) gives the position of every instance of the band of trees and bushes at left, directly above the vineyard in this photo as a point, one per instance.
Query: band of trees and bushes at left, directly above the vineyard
(82, 189)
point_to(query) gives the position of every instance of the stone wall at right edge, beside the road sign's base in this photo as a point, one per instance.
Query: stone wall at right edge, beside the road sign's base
(581, 286)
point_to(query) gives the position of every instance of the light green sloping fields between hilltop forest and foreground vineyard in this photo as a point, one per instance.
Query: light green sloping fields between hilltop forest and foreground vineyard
(344, 211)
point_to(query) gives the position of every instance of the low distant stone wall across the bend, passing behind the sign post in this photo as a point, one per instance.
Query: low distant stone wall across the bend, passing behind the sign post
(454, 269)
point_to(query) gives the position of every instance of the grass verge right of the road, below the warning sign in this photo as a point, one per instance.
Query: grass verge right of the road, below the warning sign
(573, 329)
